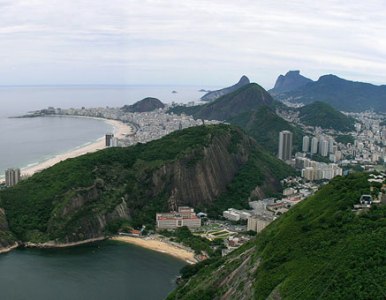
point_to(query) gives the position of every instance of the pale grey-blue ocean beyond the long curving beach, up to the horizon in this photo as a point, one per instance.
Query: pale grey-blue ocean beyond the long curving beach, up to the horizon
(25, 142)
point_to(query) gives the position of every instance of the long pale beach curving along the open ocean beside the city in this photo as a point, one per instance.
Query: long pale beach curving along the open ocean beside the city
(120, 131)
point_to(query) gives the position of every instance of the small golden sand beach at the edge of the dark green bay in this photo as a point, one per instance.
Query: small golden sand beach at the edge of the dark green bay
(159, 246)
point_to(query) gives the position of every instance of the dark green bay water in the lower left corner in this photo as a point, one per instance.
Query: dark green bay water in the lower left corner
(105, 270)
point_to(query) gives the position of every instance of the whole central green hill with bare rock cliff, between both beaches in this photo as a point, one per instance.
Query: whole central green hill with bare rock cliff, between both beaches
(207, 167)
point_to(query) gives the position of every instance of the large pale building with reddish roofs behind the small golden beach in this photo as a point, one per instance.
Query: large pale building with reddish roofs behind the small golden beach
(185, 216)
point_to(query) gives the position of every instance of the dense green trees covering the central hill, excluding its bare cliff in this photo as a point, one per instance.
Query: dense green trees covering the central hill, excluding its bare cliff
(71, 197)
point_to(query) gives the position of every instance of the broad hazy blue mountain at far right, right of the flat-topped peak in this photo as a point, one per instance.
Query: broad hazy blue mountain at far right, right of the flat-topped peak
(343, 95)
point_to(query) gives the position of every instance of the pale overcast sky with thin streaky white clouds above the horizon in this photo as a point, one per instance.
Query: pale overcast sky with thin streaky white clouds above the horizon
(189, 42)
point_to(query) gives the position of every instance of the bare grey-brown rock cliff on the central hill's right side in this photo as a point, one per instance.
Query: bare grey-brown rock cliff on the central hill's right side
(191, 181)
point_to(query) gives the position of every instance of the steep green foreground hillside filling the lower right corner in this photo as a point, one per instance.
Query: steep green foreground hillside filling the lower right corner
(320, 249)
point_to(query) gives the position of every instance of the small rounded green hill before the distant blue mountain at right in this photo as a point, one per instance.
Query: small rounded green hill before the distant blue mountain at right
(324, 115)
